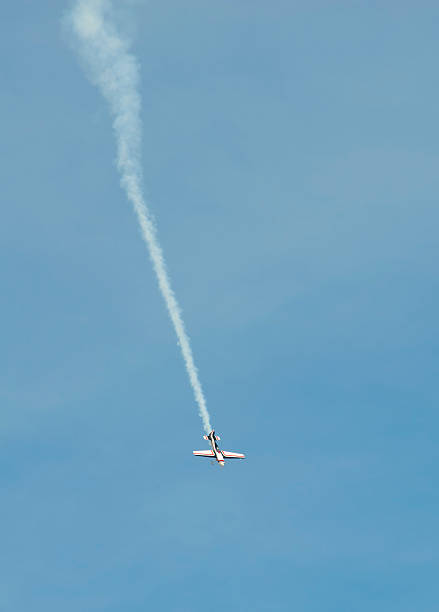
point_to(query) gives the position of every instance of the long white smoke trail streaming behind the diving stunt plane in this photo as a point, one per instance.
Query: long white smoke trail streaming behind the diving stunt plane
(115, 71)
